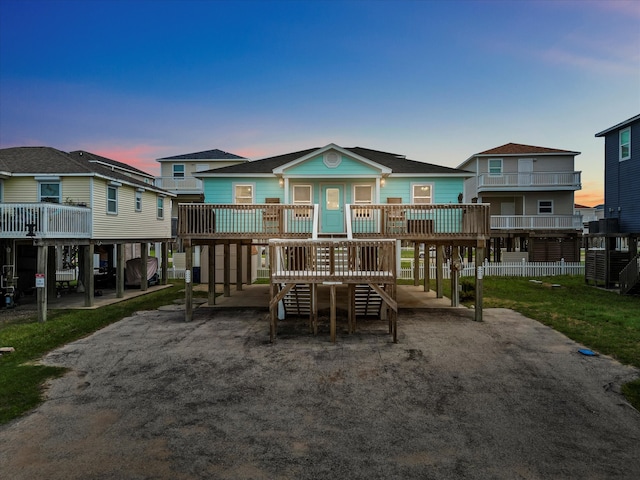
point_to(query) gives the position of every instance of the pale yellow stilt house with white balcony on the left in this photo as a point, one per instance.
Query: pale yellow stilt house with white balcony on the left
(50, 199)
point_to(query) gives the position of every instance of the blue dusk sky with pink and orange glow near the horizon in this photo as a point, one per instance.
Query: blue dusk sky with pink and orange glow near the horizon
(437, 81)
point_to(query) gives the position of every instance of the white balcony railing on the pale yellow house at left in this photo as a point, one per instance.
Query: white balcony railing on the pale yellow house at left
(44, 220)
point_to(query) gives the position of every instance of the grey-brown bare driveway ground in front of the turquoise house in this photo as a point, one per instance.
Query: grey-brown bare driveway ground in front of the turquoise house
(153, 397)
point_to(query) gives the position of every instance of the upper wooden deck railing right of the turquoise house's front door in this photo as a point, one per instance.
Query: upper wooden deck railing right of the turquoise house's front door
(429, 222)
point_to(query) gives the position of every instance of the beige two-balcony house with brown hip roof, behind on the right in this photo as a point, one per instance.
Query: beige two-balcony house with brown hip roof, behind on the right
(531, 193)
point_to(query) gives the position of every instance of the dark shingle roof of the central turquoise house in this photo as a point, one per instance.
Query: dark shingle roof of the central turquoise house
(398, 164)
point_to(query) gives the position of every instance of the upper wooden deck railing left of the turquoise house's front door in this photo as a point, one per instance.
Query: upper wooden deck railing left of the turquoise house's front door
(256, 221)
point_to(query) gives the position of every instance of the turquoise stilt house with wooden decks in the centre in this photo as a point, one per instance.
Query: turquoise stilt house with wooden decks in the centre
(338, 215)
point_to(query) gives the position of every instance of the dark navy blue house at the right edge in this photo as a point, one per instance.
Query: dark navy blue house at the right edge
(612, 254)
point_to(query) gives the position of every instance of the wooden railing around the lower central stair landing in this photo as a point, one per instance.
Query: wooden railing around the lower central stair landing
(345, 261)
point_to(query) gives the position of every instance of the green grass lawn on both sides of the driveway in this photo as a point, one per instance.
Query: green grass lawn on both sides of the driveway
(601, 320)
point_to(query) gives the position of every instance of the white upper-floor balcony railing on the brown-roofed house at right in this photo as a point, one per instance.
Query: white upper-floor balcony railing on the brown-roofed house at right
(530, 180)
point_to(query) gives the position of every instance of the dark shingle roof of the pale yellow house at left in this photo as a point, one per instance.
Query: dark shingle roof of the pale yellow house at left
(26, 161)
